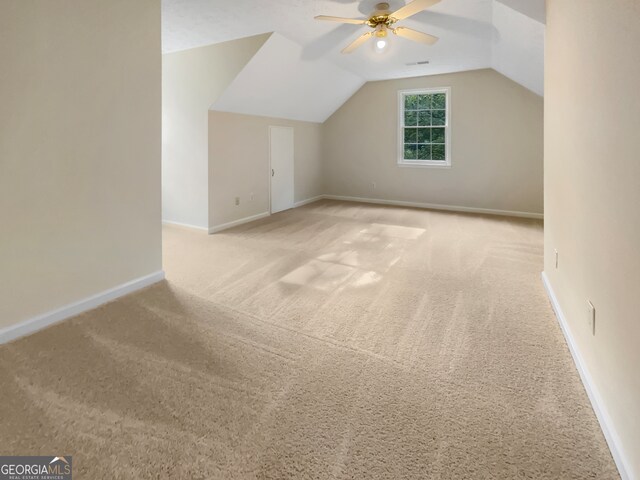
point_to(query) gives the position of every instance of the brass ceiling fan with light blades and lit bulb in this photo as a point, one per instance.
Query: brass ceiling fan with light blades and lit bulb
(382, 20)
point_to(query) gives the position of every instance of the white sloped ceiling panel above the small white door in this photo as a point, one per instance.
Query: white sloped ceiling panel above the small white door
(279, 82)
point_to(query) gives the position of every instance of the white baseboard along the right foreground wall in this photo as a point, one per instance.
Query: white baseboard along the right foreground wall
(606, 424)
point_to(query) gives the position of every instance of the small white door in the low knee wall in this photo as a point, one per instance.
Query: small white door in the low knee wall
(281, 144)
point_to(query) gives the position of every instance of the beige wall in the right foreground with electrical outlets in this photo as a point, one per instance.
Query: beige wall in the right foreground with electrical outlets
(592, 195)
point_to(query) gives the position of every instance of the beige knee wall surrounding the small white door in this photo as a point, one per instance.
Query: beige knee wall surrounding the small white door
(239, 164)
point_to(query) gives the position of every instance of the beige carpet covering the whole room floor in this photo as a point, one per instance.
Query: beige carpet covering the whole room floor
(333, 341)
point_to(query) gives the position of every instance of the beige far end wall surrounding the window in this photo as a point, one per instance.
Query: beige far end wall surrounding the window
(497, 145)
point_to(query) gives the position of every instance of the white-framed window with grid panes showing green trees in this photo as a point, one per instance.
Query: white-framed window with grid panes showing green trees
(424, 134)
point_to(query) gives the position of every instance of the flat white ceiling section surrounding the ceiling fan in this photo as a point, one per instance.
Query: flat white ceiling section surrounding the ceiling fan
(464, 26)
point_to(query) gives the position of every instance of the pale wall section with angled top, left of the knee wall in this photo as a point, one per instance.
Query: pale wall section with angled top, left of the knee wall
(192, 81)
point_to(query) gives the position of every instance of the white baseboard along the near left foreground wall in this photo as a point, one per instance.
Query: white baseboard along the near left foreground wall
(32, 325)
